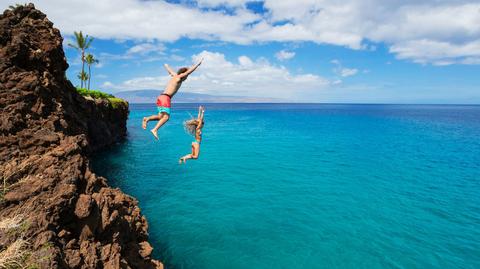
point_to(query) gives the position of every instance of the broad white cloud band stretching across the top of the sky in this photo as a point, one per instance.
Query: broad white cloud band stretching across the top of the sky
(429, 31)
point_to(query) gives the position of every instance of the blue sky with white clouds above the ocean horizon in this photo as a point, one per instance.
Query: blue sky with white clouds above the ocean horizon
(304, 51)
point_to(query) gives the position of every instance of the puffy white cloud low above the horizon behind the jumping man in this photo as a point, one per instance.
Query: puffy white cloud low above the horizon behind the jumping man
(245, 77)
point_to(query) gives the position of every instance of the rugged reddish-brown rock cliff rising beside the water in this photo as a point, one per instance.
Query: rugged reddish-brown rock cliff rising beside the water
(54, 210)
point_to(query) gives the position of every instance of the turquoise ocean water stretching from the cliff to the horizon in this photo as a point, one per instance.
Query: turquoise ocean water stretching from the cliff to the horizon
(308, 186)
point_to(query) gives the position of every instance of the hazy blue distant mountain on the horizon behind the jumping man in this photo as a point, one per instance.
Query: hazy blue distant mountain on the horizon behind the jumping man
(149, 96)
